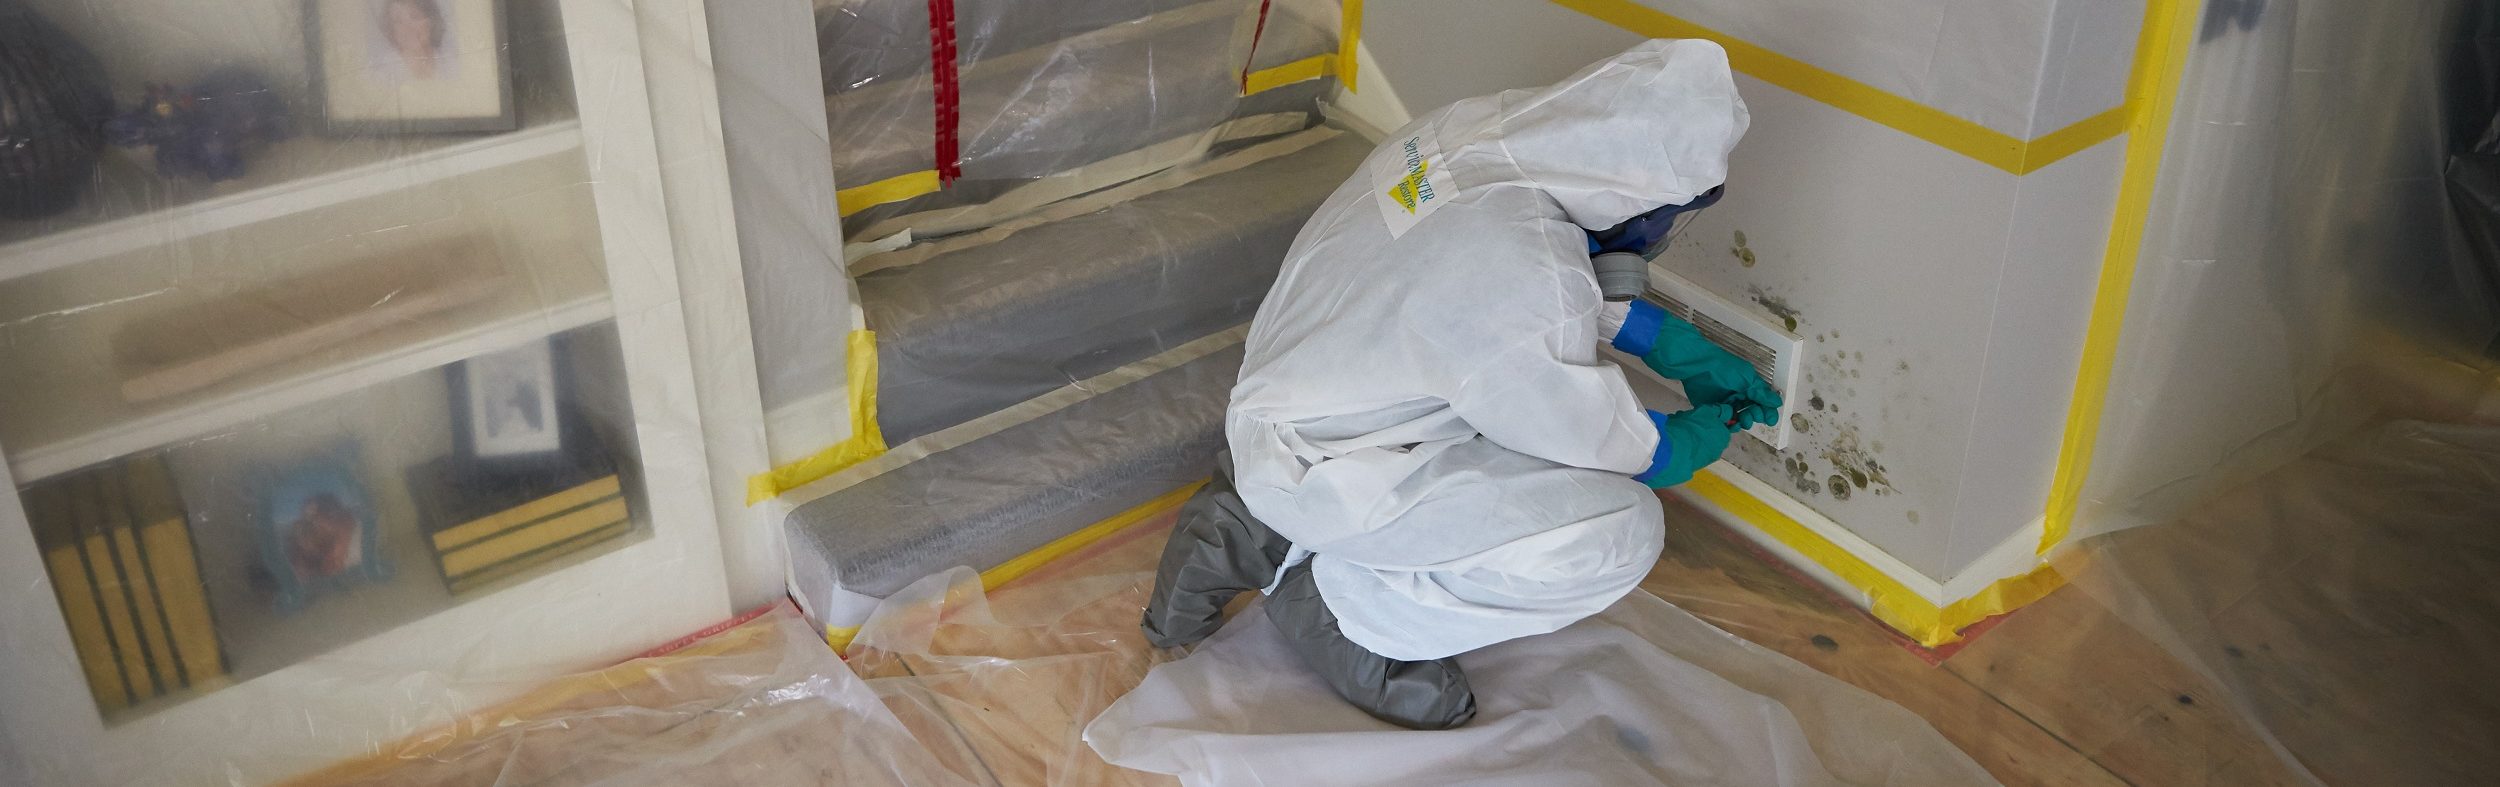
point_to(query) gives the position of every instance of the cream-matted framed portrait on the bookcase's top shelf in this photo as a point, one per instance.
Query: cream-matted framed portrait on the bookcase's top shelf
(411, 66)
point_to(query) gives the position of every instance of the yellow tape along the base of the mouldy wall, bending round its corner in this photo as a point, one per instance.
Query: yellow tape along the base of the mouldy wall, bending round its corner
(1889, 601)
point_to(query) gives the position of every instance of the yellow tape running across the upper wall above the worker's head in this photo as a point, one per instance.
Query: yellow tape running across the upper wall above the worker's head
(1866, 101)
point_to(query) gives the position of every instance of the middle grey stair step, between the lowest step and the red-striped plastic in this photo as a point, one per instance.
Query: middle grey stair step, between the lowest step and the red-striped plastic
(979, 329)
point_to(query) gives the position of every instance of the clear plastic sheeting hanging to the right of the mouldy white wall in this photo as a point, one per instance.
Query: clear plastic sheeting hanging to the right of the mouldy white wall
(2304, 269)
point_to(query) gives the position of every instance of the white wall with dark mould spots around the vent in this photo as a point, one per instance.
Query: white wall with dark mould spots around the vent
(1944, 301)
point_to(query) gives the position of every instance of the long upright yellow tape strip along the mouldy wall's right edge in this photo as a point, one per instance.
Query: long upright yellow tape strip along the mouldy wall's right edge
(2161, 61)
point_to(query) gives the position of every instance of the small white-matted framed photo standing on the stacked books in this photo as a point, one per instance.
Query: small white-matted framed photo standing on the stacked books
(506, 406)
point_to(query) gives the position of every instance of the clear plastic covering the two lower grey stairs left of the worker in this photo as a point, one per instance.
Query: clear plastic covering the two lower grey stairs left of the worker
(996, 361)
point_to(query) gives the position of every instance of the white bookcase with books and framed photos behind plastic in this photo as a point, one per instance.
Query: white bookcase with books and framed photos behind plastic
(339, 359)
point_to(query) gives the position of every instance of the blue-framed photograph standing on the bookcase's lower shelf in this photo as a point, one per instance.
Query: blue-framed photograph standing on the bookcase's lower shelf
(319, 531)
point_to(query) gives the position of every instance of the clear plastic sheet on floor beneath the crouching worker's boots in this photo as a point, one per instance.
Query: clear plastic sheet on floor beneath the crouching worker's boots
(1636, 696)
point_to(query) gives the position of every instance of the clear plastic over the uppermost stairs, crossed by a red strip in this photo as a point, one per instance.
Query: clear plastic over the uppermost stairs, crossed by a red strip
(1041, 86)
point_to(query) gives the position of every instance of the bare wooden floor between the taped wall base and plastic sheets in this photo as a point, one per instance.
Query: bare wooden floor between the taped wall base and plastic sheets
(2059, 693)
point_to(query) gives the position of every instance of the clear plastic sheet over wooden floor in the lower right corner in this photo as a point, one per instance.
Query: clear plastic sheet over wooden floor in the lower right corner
(2344, 603)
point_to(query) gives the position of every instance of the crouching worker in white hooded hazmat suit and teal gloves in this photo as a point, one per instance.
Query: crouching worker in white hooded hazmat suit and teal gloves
(1426, 451)
